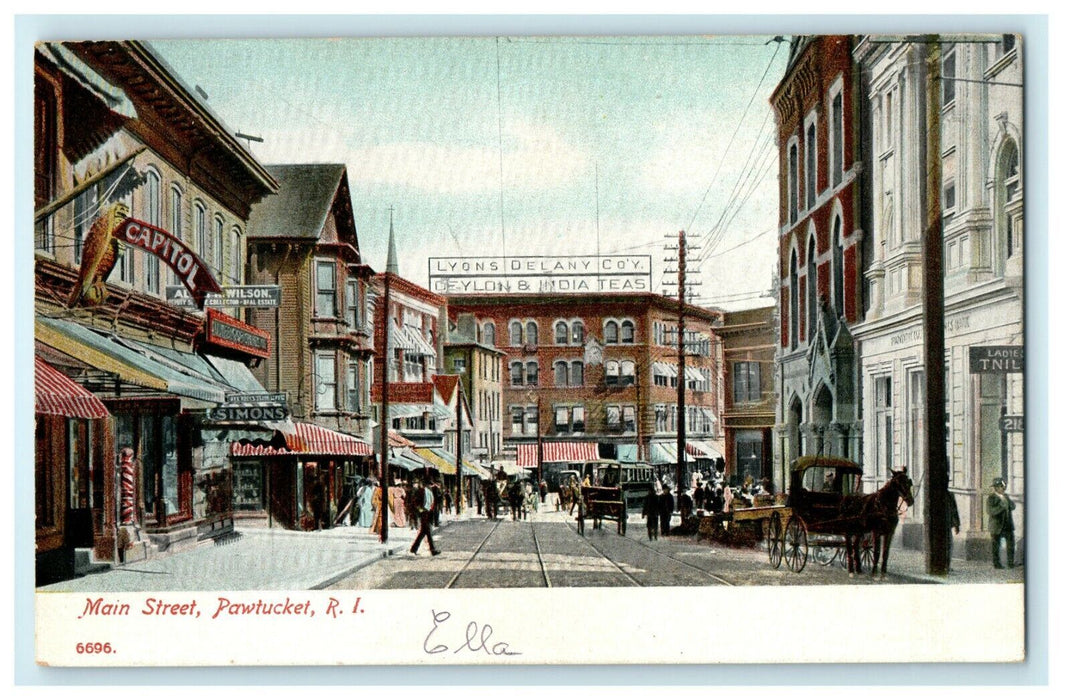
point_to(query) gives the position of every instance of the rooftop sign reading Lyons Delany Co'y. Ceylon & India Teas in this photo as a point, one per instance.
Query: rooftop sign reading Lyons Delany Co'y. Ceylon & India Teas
(540, 275)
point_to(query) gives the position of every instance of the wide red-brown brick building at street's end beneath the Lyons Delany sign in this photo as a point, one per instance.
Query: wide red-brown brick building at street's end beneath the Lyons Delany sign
(597, 374)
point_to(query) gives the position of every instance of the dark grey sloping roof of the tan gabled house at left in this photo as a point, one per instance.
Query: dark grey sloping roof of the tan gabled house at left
(307, 194)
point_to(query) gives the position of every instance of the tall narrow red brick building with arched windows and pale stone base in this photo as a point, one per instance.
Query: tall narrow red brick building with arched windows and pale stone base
(822, 251)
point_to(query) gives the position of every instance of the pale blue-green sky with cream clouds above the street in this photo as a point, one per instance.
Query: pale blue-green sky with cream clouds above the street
(525, 146)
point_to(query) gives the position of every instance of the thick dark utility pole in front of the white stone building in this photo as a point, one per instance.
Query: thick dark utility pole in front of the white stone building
(933, 315)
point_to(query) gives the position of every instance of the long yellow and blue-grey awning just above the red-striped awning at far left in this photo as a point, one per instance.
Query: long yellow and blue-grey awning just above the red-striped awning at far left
(127, 359)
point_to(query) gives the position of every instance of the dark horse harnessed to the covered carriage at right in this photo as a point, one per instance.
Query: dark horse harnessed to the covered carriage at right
(878, 514)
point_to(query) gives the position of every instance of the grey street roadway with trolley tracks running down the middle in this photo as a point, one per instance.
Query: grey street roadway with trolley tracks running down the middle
(547, 552)
